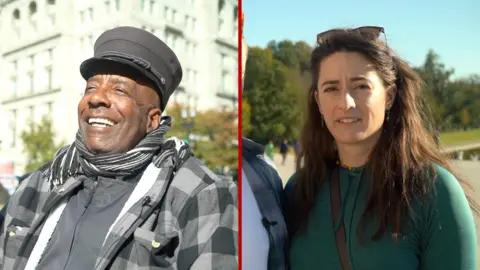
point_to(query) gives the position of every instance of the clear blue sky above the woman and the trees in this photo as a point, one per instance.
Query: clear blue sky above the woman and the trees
(451, 28)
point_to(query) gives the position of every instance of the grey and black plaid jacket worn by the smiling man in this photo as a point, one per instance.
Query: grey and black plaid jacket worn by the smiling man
(193, 227)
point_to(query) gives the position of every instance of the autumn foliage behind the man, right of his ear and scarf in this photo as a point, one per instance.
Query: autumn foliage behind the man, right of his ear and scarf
(215, 135)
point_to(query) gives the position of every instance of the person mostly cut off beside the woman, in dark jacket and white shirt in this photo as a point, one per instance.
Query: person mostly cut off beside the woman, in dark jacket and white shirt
(264, 232)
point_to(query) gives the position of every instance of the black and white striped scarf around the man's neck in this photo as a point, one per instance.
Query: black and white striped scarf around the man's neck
(69, 159)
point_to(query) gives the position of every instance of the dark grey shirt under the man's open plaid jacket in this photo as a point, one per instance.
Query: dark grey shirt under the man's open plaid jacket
(83, 226)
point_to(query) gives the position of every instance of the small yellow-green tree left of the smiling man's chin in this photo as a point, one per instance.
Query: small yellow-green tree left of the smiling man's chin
(38, 142)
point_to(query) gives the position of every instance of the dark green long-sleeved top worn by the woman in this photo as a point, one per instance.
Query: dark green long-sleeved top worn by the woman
(442, 235)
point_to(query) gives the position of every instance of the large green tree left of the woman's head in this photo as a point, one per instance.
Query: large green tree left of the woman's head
(272, 95)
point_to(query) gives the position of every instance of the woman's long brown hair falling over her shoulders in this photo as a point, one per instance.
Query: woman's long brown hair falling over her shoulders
(398, 164)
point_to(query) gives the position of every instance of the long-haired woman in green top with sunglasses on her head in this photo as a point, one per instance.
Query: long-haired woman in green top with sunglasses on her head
(372, 189)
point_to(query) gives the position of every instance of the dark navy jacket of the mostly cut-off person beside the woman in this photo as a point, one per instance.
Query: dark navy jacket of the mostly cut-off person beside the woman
(268, 191)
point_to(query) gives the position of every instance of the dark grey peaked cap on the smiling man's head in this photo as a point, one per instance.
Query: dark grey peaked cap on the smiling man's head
(141, 50)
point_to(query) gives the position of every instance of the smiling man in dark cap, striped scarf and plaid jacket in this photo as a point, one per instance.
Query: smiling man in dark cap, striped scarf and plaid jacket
(121, 196)
